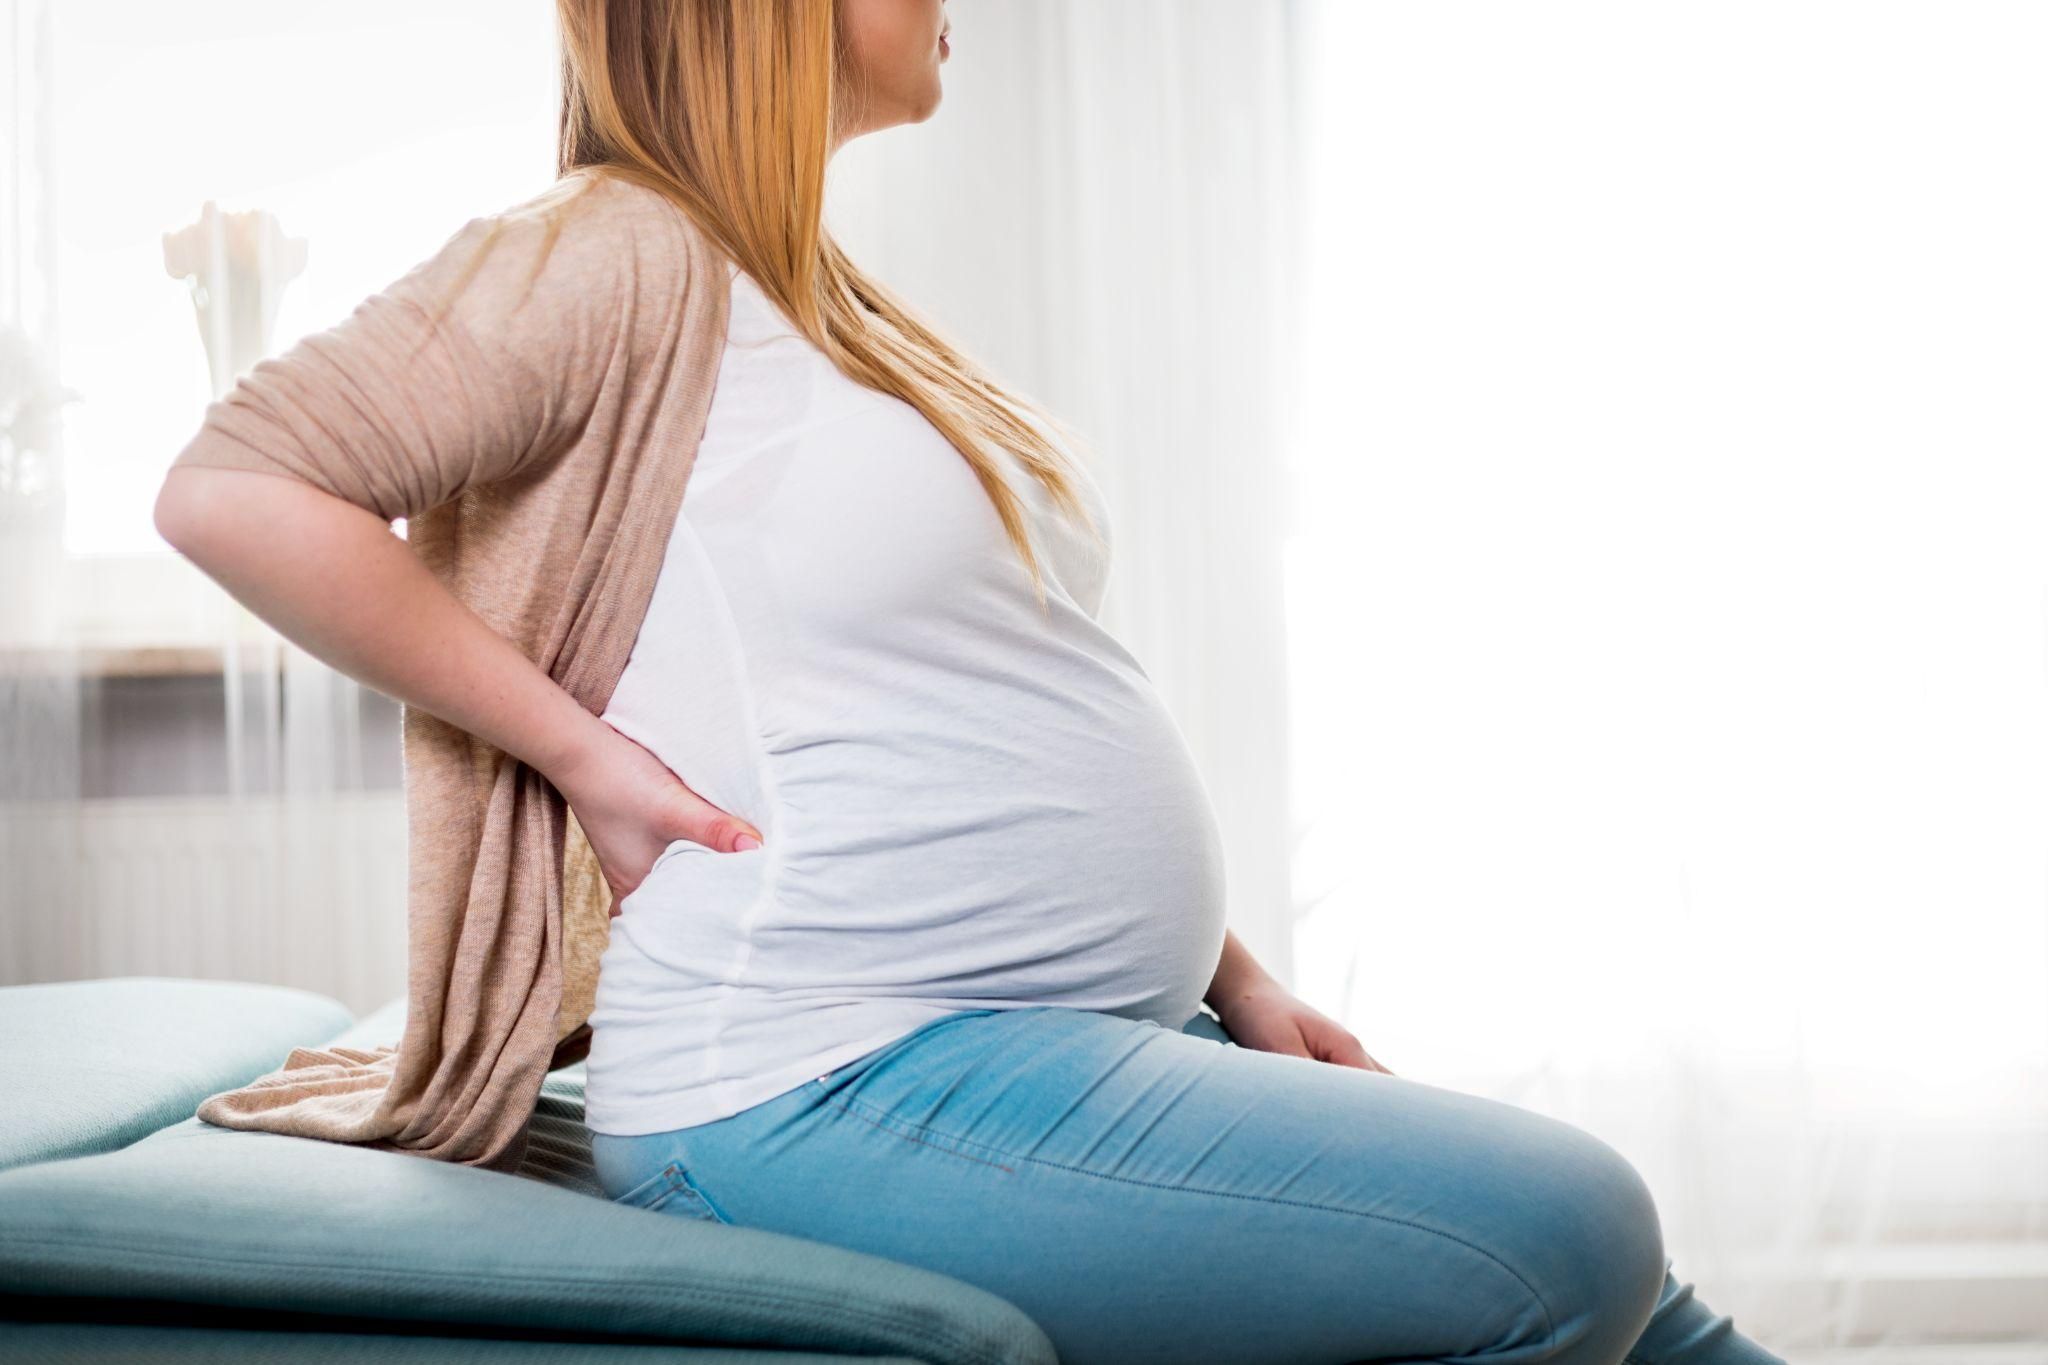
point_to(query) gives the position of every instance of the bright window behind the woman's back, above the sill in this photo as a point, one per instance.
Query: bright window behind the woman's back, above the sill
(370, 130)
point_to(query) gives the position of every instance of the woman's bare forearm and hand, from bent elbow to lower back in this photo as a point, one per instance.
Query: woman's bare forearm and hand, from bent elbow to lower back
(335, 580)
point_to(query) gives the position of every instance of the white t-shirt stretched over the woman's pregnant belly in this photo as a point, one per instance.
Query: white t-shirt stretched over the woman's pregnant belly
(966, 803)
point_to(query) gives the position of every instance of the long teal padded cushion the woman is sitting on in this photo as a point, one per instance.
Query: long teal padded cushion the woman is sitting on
(212, 1217)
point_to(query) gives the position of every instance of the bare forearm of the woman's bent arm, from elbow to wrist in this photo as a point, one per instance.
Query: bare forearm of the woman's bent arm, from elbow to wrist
(335, 580)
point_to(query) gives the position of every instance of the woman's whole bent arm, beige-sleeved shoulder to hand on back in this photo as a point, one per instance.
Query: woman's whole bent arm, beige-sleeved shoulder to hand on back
(472, 369)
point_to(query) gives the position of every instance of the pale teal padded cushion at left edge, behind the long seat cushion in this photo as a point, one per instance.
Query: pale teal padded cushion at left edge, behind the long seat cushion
(95, 1065)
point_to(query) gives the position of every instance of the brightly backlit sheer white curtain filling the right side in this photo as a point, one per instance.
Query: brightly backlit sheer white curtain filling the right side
(1668, 599)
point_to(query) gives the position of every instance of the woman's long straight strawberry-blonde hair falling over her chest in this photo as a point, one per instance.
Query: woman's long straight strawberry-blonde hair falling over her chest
(728, 109)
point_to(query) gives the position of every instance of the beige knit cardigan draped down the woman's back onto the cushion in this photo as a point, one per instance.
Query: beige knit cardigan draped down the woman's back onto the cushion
(538, 445)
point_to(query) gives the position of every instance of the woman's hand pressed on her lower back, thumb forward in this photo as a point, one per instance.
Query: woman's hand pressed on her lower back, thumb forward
(632, 807)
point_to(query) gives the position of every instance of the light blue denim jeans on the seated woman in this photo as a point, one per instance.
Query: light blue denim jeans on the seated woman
(1168, 1196)
